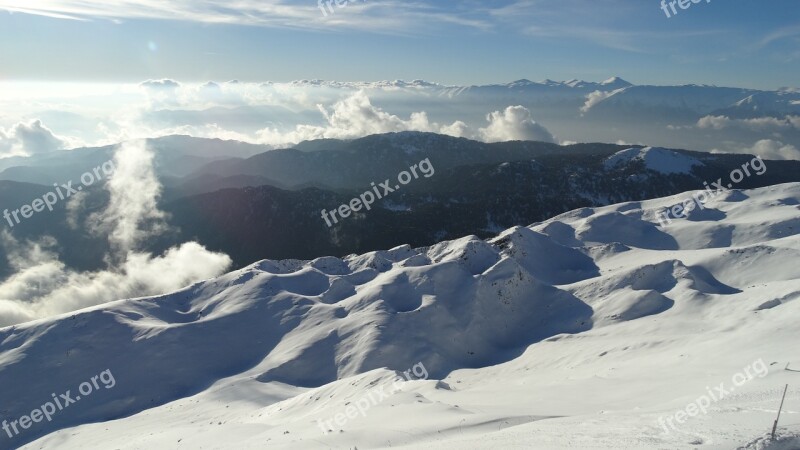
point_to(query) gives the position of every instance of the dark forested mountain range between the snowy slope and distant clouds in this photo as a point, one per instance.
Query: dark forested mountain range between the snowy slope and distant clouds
(477, 189)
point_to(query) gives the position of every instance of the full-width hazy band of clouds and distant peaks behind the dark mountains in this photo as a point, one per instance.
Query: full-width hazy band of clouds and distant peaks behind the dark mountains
(704, 118)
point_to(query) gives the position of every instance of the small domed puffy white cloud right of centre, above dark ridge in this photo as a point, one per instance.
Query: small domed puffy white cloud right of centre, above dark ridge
(514, 124)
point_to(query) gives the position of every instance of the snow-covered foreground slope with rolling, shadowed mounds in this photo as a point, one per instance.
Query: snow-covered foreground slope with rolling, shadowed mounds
(579, 332)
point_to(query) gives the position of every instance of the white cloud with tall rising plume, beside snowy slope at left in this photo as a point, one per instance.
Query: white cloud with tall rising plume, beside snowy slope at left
(42, 285)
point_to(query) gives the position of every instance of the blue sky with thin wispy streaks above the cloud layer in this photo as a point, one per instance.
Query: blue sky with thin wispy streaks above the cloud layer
(744, 43)
